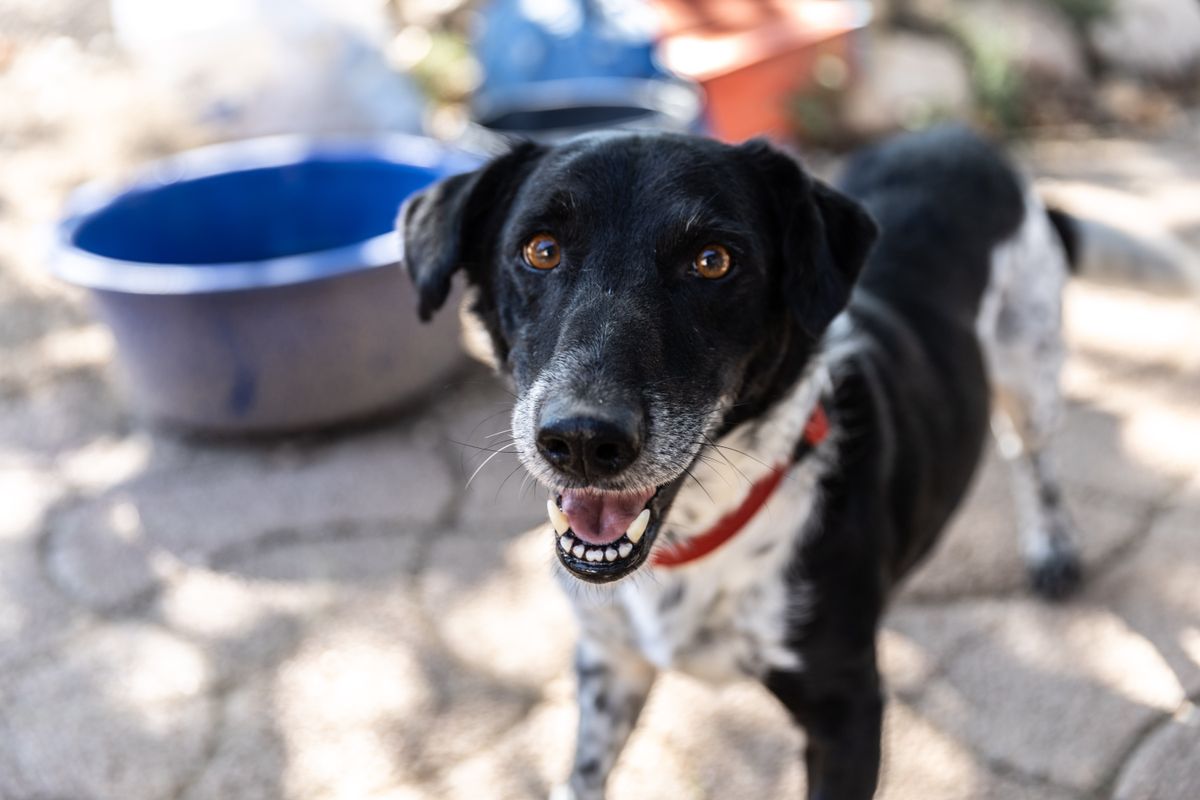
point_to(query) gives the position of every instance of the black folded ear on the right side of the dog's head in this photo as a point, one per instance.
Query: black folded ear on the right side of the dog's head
(827, 237)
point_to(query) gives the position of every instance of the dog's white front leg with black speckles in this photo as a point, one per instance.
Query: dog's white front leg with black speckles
(614, 683)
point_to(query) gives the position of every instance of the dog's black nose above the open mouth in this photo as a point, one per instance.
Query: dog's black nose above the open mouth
(590, 443)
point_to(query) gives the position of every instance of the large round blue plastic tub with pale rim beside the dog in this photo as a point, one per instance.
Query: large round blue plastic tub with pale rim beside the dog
(253, 287)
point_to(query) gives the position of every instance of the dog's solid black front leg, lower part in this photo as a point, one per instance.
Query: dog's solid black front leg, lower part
(842, 712)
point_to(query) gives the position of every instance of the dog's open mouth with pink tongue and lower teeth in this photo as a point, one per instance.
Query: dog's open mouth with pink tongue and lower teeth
(603, 536)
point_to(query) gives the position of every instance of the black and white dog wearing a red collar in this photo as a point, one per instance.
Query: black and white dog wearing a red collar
(757, 400)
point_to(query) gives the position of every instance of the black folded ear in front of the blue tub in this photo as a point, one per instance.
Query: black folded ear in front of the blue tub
(452, 224)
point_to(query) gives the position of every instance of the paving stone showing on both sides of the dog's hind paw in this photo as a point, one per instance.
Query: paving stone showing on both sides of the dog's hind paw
(980, 554)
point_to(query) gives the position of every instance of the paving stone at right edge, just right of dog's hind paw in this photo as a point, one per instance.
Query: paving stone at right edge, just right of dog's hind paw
(1156, 591)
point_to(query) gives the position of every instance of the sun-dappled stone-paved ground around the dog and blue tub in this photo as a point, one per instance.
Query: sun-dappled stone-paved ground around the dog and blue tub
(339, 617)
